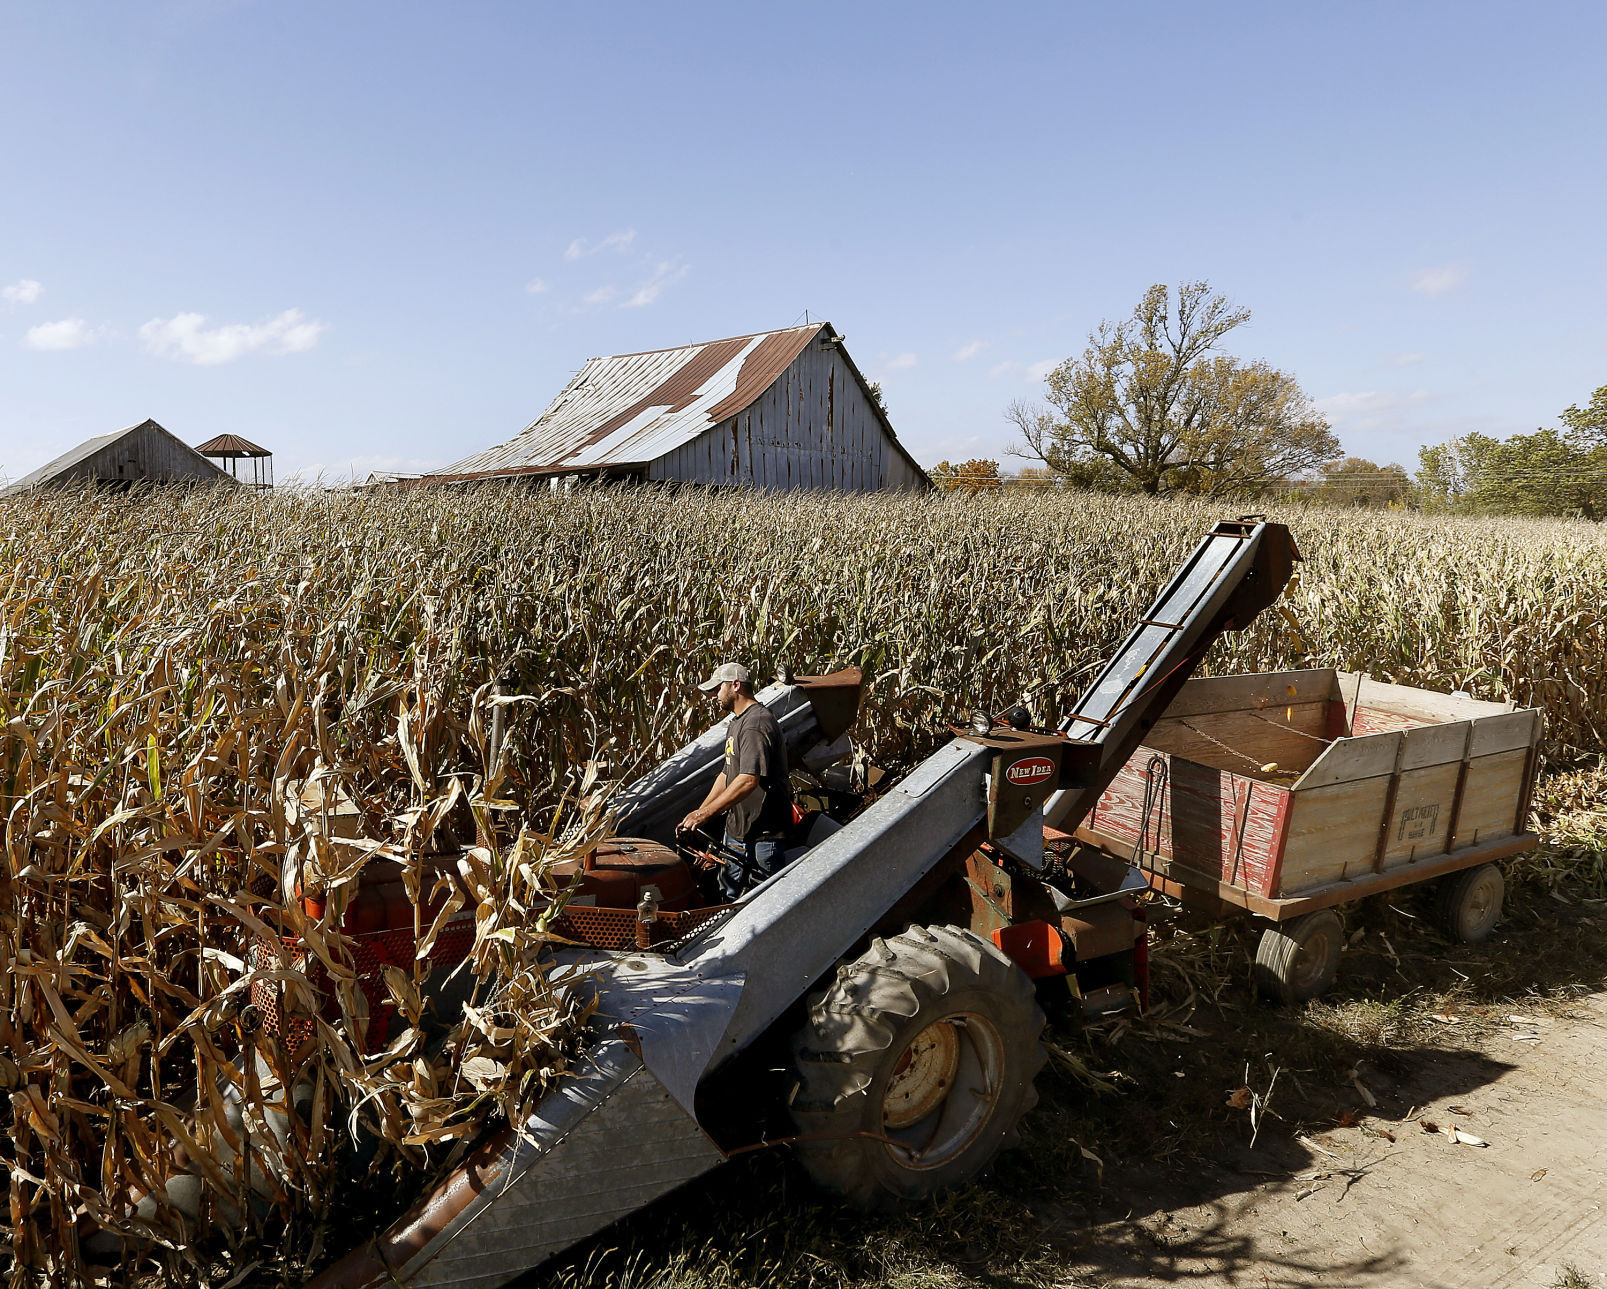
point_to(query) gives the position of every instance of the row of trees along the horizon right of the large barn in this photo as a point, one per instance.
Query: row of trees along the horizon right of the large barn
(1155, 406)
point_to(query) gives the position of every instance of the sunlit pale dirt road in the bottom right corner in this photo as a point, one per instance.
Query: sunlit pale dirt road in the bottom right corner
(1354, 1208)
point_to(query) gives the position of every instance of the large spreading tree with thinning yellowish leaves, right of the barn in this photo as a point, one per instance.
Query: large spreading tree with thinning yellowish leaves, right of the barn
(1153, 407)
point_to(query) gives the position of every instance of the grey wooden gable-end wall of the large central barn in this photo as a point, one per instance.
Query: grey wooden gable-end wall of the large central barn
(814, 428)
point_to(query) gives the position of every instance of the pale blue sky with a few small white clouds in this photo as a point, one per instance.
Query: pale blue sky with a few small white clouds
(383, 237)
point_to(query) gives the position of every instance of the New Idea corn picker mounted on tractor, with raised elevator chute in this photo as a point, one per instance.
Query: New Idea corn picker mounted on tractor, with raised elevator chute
(875, 1004)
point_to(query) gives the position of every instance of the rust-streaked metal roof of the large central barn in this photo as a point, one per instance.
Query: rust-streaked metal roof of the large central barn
(636, 407)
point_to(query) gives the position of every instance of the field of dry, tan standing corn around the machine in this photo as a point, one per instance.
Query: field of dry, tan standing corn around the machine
(190, 681)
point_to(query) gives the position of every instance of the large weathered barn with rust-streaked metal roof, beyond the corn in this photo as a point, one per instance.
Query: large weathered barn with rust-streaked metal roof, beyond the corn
(779, 411)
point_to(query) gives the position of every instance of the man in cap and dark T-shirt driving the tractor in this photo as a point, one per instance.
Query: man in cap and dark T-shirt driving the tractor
(753, 790)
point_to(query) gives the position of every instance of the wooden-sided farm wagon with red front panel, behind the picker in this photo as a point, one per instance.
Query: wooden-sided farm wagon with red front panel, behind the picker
(1286, 795)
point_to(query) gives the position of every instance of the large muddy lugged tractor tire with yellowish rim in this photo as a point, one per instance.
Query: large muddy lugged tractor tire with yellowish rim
(915, 1066)
